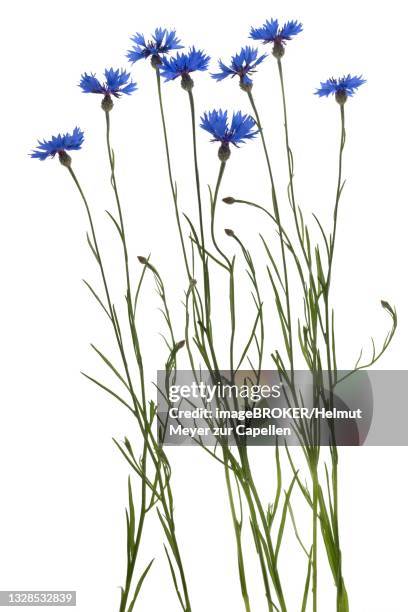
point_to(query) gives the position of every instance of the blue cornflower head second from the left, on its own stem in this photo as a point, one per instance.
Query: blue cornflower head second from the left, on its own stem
(116, 83)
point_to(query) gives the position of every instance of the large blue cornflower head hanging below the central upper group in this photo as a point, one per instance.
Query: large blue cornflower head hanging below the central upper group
(241, 128)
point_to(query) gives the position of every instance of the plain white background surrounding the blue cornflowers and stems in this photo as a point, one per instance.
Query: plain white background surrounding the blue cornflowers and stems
(63, 484)
